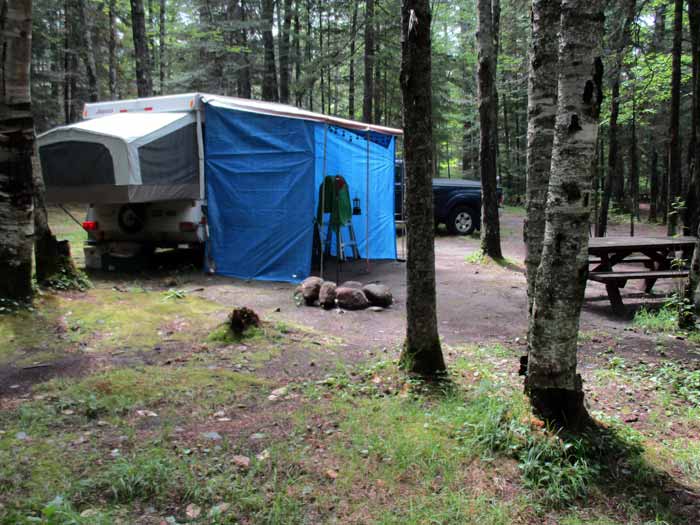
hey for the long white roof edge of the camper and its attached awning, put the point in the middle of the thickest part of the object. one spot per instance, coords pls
(191, 101)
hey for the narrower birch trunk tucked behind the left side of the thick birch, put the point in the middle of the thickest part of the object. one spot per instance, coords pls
(542, 110)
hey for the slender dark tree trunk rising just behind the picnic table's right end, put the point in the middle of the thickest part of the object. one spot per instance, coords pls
(674, 152)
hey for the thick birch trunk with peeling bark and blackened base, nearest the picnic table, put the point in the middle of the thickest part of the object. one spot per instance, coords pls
(552, 383)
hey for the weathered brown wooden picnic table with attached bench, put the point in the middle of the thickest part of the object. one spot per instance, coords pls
(655, 254)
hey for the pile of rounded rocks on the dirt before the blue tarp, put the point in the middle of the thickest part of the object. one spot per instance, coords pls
(350, 295)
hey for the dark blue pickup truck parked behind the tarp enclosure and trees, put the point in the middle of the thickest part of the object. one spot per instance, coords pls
(457, 202)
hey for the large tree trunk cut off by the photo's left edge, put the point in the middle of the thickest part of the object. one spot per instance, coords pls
(16, 150)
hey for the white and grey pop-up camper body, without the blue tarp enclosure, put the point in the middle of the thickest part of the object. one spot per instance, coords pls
(138, 165)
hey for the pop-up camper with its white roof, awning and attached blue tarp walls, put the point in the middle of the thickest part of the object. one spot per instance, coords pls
(243, 176)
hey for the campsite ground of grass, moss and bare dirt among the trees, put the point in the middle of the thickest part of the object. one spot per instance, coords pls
(128, 403)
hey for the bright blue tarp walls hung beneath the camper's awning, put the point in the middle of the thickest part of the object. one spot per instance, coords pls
(263, 176)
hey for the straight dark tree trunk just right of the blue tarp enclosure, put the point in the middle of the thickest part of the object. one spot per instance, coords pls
(422, 353)
